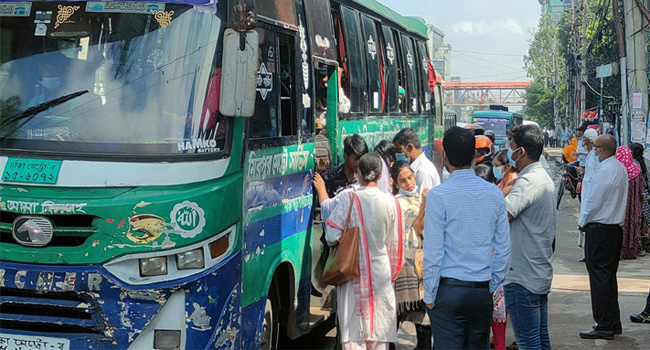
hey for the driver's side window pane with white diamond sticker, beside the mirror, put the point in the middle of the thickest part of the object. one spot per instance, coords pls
(264, 122)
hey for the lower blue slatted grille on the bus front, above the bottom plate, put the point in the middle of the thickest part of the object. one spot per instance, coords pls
(59, 312)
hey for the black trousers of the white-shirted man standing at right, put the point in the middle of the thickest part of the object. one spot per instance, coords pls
(602, 253)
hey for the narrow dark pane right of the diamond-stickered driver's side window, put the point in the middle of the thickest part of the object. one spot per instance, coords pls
(289, 123)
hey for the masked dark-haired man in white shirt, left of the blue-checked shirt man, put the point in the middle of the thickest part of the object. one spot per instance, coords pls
(408, 148)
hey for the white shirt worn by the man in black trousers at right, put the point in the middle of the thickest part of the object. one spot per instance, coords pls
(607, 195)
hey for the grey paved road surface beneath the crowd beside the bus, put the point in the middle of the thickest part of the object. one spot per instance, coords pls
(569, 301)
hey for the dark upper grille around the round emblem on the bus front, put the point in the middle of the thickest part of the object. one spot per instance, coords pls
(69, 230)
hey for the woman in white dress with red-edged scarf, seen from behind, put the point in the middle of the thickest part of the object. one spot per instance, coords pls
(366, 305)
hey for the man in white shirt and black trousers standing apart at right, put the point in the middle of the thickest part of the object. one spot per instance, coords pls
(602, 216)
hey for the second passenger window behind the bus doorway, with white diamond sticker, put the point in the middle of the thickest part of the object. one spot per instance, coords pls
(372, 62)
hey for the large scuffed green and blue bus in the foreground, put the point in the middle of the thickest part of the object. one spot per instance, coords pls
(157, 162)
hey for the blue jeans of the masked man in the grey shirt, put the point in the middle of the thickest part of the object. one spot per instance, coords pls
(529, 316)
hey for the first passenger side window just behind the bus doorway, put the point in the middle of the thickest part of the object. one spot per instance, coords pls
(356, 71)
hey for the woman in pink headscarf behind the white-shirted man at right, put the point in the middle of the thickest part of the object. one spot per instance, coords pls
(632, 225)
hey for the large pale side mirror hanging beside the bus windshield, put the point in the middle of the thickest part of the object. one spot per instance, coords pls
(239, 73)
